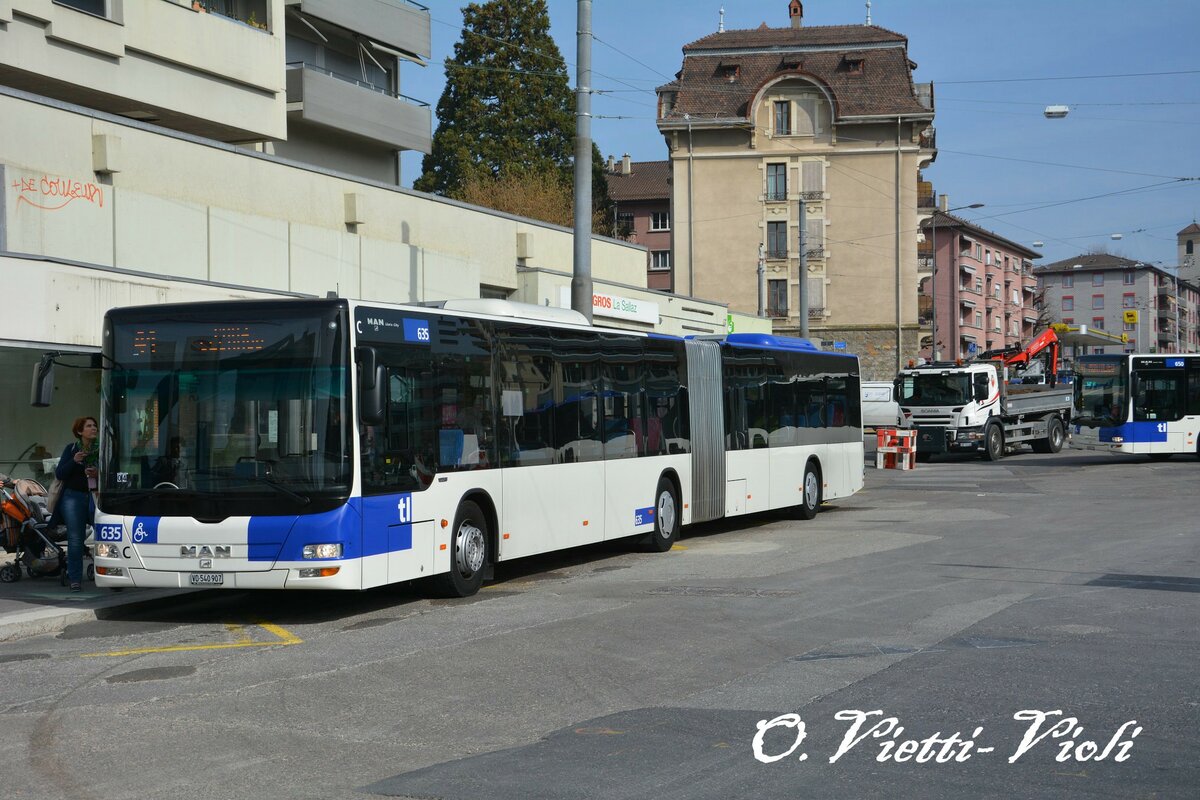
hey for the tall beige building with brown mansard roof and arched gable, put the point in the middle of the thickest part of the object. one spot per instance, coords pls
(765, 127)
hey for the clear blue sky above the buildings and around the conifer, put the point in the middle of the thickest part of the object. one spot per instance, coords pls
(995, 67)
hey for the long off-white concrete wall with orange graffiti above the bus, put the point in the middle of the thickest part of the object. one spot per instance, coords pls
(215, 213)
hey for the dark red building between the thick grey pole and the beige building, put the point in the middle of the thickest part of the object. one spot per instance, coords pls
(641, 197)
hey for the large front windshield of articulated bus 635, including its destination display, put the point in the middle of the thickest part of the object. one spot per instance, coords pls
(227, 417)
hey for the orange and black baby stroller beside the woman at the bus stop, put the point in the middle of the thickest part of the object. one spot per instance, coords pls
(27, 533)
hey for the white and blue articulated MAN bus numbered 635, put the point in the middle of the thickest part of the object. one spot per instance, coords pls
(333, 444)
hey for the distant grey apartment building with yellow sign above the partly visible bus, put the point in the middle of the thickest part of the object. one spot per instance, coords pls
(1099, 290)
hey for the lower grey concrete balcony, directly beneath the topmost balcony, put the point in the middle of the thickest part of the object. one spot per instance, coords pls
(350, 106)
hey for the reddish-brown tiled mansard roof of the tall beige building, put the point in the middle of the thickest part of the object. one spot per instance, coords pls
(883, 88)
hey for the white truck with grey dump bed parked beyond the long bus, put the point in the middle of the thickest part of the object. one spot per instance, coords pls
(974, 407)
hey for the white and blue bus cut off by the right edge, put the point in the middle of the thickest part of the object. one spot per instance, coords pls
(1132, 404)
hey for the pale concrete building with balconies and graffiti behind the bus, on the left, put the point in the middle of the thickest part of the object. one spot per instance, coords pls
(142, 161)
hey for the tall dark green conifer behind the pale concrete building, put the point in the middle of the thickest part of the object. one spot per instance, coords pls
(507, 105)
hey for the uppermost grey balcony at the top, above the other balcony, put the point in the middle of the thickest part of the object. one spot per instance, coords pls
(395, 25)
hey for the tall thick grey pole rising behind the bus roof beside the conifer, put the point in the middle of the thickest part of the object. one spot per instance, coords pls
(581, 280)
